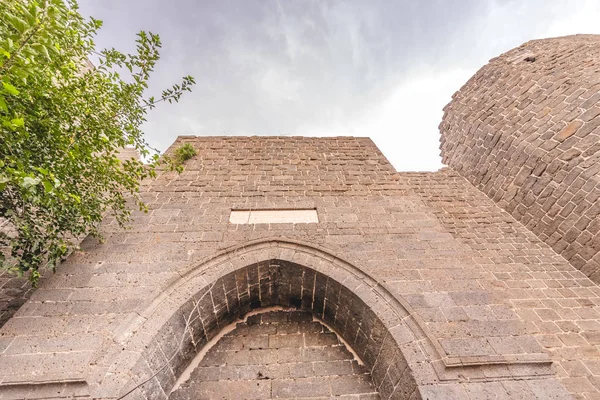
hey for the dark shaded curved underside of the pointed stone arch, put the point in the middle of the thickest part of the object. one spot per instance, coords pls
(278, 283)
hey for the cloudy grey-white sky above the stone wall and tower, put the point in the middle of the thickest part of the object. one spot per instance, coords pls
(382, 69)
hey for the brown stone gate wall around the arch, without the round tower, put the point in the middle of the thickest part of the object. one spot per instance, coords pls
(449, 313)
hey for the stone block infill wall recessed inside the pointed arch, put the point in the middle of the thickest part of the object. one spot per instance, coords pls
(230, 367)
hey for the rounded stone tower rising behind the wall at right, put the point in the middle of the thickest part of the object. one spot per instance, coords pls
(526, 131)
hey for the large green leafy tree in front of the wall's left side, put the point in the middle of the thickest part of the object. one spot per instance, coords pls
(62, 124)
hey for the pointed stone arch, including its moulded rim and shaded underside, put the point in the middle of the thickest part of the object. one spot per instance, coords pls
(262, 274)
